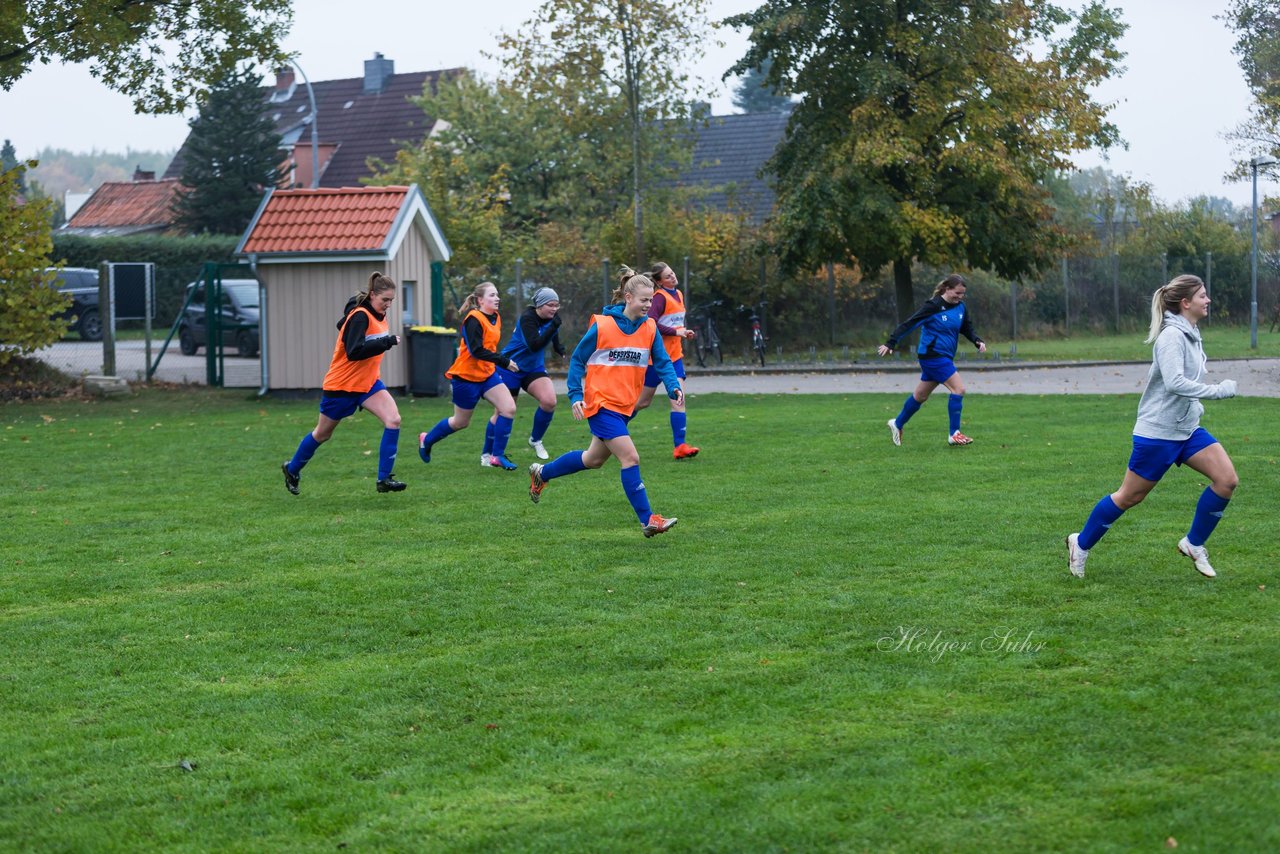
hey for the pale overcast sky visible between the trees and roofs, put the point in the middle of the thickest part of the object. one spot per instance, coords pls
(1183, 88)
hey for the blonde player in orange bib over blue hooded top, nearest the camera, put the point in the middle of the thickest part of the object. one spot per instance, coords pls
(606, 376)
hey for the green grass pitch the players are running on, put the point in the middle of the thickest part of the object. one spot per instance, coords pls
(843, 646)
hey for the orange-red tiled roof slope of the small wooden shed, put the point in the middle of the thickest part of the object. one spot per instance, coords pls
(350, 220)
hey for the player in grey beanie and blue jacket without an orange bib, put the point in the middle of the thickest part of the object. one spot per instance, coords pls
(538, 327)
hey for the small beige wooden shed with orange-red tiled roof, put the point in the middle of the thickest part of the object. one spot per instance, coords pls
(316, 249)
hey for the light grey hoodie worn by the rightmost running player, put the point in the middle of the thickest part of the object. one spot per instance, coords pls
(1171, 407)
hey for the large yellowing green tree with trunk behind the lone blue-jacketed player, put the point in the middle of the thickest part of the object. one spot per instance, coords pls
(925, 127)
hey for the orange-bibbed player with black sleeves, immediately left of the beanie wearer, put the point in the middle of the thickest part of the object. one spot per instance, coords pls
(473, 376)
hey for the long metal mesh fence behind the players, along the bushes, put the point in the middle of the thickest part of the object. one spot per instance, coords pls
(839, 312)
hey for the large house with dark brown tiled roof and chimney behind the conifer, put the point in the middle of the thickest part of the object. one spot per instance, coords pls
(358, 118)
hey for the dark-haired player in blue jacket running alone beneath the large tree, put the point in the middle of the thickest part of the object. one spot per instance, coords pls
(944, 319)
